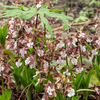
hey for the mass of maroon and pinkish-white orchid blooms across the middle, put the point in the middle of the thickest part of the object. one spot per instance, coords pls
(54, 60)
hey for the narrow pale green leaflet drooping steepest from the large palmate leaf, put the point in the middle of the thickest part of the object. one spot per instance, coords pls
(45, 21)
